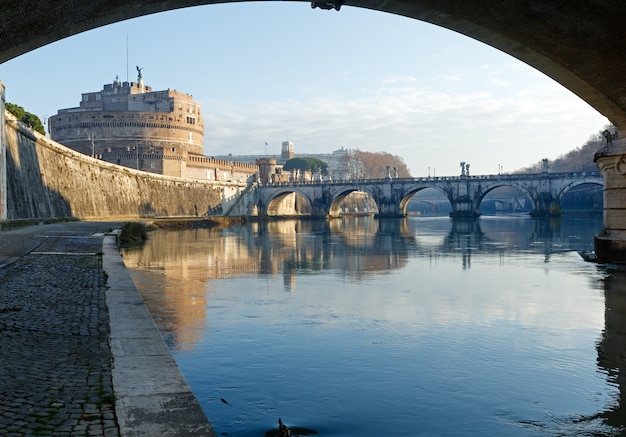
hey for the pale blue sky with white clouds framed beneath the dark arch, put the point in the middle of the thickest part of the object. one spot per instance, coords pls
(268, 72)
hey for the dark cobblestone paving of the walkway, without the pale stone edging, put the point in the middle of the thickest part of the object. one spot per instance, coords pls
(55, 361)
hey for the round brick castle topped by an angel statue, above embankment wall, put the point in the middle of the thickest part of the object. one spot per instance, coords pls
(156, 131)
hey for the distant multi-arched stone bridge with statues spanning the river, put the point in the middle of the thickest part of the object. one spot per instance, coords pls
(544, 190)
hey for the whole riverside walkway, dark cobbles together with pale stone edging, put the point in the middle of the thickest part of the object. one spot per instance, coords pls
(80, 354)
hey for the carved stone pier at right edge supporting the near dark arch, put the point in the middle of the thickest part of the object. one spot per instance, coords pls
(610, 243)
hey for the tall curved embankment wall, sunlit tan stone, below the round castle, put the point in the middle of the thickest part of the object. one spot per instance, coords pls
(48, 180)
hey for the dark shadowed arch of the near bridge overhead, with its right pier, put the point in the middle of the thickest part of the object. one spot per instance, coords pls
(579, 43)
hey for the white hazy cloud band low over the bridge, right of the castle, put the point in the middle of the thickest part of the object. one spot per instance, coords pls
(408, 121)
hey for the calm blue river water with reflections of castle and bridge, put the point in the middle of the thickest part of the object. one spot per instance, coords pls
(409, 327)
